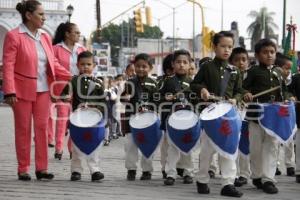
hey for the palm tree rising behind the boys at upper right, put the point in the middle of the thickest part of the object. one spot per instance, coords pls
(263, 25)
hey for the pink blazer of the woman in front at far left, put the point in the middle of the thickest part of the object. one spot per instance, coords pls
(20, 65)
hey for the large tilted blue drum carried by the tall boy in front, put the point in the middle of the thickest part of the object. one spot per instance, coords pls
(222, 124)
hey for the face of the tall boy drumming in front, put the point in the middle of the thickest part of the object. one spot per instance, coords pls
(224, 48)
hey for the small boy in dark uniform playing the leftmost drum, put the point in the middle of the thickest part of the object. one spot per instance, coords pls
(85, 90)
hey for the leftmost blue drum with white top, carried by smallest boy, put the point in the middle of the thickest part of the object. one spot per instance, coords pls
(87, 129)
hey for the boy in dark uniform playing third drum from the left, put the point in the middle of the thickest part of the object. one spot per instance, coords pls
(173, 85)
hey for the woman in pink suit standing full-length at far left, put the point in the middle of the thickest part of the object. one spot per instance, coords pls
(29, 67)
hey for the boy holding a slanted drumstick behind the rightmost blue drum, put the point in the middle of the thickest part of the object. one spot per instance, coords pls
(263, 147)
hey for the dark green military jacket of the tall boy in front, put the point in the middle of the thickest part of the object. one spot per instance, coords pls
(211, 75)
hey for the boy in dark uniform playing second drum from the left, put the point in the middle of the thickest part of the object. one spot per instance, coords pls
(139, 94)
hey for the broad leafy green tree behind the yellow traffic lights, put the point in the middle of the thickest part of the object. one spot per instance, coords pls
(123, 35)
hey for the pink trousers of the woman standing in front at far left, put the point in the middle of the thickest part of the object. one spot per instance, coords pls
(24, 112)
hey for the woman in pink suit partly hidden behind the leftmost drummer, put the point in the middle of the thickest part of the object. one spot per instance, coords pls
(66, 49)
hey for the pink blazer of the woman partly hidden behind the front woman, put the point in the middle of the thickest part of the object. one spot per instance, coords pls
(63, 57)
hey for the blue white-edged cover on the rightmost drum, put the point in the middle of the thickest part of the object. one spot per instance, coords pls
(279, 120)
